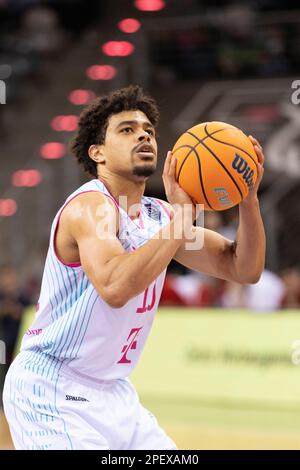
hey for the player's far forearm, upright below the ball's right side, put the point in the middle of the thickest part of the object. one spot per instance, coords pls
(249, 256)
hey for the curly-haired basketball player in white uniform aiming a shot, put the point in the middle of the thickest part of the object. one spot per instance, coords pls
(69, 388)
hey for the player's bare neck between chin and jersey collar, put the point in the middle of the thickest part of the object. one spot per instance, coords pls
(127, 193)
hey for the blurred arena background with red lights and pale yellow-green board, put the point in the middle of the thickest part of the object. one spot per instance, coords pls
(227, 377)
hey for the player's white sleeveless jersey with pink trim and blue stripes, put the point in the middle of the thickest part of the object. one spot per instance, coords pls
(74, 326)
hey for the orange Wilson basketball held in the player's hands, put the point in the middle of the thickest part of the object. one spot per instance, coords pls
(216, 164)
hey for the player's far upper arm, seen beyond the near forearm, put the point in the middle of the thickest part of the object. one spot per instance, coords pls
(215, 258)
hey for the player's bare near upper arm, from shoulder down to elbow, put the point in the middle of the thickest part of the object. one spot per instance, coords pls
(93, 223)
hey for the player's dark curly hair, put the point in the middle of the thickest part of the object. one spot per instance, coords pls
(94, 118)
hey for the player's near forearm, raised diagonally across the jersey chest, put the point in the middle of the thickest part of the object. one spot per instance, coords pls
(131, 273)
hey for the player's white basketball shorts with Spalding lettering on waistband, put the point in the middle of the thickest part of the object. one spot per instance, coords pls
(67, 413)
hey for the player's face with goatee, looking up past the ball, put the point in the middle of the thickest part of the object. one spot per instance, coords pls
(130, 147)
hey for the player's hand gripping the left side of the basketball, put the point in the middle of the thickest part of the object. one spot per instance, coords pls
(175, 194)
